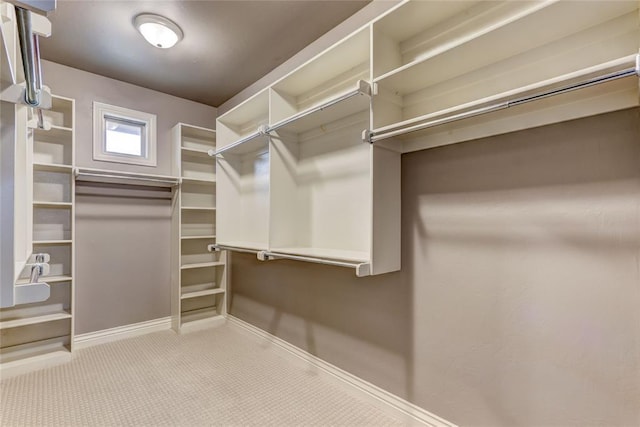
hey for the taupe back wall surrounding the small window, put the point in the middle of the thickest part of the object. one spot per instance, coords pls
(122, 240)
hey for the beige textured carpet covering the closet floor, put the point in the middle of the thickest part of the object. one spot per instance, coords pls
(211, 377)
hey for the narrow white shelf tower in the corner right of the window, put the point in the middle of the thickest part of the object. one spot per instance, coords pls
(199, 275)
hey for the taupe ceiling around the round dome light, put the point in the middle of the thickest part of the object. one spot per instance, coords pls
(227, 45)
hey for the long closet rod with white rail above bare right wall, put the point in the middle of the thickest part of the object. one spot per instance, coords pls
(392, 131)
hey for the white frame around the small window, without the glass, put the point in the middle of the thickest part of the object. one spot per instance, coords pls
(101, 112)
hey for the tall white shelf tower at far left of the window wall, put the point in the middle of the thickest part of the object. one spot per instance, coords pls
(43, 332)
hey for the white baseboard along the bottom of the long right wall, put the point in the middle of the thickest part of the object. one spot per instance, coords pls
(388, 402)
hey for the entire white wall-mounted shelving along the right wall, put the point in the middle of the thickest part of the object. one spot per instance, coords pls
(296, 180)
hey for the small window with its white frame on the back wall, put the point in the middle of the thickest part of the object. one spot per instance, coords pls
(122, 135)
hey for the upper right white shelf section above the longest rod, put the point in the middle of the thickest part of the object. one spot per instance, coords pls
(436, 59)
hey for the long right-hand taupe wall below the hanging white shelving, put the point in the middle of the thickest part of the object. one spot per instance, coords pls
(518, 299)
